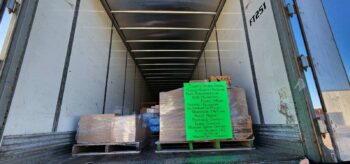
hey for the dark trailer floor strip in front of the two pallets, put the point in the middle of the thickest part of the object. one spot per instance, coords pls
(149, 157)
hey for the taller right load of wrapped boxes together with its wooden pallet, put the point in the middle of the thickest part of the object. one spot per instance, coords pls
(172, 122)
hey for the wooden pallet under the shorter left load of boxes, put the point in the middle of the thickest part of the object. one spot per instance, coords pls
(107, 149)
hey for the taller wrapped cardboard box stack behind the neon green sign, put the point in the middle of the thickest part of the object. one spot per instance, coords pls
(172, 116)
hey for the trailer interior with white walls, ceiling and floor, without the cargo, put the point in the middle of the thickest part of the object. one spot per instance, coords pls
(122, 53)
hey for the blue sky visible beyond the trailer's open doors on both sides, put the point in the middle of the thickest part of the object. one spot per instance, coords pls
(339, 19)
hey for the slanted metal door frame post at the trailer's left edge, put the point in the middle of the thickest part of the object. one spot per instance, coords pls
(14, 56)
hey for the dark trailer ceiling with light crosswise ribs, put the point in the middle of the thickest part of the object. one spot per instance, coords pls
(165, 37)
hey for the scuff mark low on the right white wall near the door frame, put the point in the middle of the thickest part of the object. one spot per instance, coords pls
(284, 108)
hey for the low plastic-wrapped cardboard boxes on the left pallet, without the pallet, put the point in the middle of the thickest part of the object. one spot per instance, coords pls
(109, 128)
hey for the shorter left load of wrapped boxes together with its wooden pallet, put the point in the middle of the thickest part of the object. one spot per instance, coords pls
(108, 134)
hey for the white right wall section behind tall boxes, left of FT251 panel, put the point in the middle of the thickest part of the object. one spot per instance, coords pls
(233, 53)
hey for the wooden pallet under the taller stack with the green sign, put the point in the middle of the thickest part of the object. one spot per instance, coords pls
(204, 146)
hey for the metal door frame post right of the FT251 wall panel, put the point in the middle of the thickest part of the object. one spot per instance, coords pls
(309, 132)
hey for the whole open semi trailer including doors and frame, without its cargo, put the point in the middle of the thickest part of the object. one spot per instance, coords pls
(69, 58)
